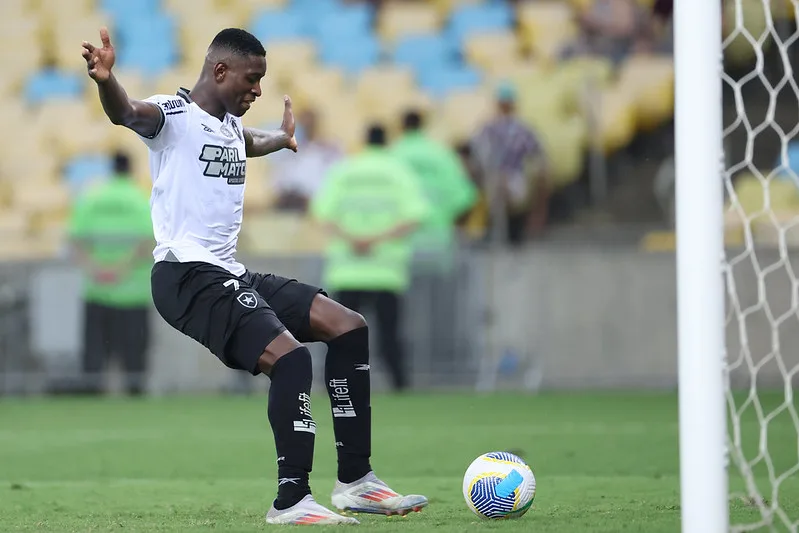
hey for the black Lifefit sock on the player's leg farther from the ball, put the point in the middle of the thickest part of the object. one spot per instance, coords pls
(294, 429)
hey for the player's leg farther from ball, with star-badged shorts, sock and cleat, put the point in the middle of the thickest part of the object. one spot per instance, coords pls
(228, 317)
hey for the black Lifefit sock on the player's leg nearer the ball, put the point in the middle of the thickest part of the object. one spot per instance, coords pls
(348, 385)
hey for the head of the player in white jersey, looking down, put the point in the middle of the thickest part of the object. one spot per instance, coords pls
(236, 61)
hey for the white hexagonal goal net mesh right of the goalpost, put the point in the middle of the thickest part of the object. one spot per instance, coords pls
(761, 263)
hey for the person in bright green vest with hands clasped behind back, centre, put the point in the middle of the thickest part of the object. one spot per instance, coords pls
(371, 204)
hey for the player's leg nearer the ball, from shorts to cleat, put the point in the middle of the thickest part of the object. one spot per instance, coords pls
(312, 316)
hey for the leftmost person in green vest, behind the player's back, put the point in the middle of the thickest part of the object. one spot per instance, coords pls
(112, 239)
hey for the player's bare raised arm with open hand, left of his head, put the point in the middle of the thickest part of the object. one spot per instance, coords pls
(142, 117)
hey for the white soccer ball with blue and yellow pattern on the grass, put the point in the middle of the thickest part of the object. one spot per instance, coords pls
(499, 485)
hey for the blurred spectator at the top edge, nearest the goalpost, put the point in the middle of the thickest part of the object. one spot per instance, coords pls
(613, 29)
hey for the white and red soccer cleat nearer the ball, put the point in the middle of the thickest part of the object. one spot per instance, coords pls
(370, 495)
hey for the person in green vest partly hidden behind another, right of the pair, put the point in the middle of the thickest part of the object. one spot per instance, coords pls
(452, 194)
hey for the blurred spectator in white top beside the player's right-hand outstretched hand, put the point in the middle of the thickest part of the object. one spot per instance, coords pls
(298, 176)
